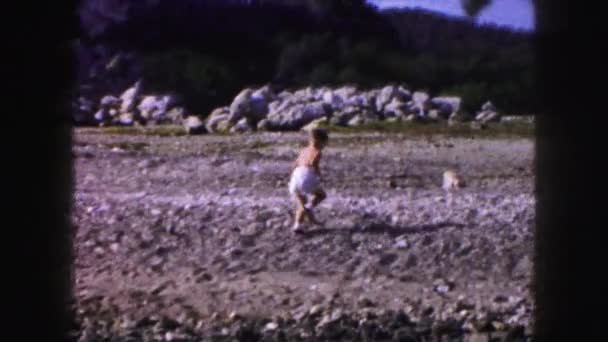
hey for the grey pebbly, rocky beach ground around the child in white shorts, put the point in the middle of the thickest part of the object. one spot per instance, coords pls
(188, 239)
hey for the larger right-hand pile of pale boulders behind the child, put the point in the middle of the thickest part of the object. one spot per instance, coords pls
(262, 109)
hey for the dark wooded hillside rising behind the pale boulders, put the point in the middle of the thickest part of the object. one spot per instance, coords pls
(208, 52)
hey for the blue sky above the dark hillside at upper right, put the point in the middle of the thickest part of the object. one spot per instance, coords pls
(518, 14)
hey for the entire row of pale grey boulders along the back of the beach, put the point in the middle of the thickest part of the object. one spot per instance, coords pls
(263, 109)
